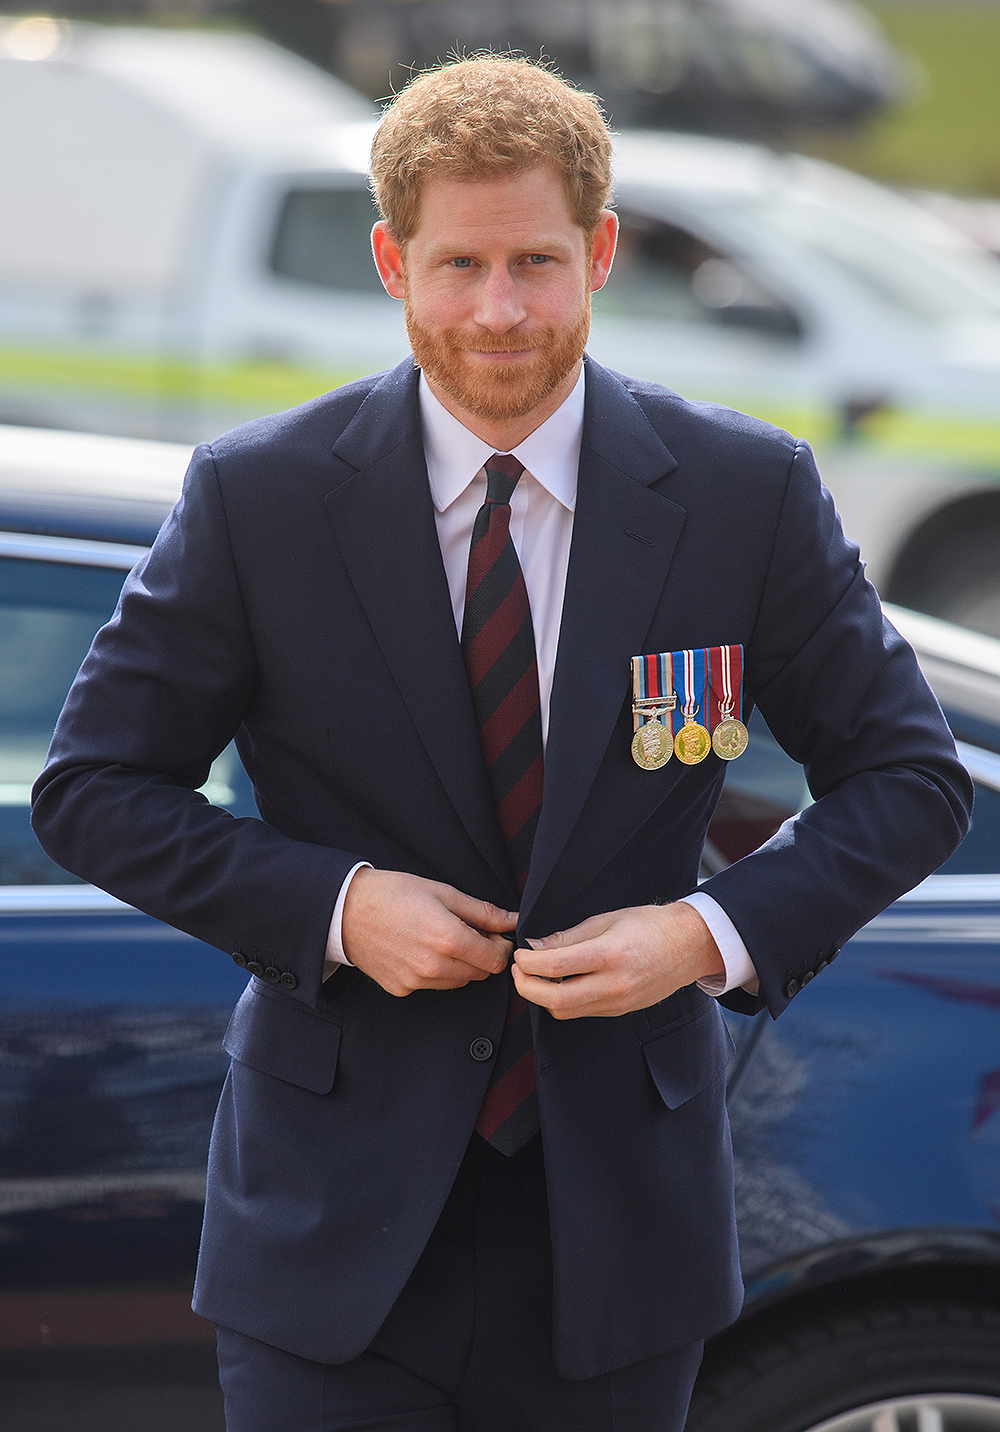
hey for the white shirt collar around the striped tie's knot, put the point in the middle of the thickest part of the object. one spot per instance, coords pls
(455, 456)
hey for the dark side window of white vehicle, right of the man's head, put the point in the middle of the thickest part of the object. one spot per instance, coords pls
(665, 273)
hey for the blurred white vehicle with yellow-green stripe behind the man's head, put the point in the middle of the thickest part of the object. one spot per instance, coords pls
(193, 250)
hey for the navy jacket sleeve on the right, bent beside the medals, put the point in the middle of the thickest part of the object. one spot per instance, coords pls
(845, 697)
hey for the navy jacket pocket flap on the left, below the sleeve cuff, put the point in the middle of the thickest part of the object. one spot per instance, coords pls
(284, 1039)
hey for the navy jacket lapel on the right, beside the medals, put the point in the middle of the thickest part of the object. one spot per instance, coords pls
(624, 539)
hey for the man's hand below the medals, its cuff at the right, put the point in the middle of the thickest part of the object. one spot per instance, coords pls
(614, 964)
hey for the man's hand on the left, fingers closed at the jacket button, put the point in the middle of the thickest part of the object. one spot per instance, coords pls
(409, 934)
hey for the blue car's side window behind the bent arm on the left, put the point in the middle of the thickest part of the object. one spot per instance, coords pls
(49, 615)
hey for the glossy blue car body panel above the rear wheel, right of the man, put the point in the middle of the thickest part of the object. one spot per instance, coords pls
(870, 1109)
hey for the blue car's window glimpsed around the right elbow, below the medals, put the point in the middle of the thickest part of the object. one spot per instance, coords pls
(766, 787)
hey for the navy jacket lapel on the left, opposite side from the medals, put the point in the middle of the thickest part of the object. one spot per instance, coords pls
(385, 525)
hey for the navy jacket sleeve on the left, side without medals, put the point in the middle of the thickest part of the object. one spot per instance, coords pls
(164, 690)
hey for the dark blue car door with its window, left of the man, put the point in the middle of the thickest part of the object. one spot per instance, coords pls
(111, 1066)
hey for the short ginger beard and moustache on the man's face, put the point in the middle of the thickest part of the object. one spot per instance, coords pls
(449, 360)
